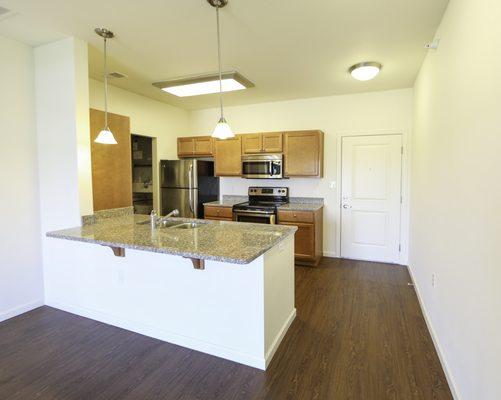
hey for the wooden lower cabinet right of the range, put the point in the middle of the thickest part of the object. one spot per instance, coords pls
(308, 241)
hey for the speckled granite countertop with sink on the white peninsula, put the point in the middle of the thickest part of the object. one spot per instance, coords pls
(232, 242)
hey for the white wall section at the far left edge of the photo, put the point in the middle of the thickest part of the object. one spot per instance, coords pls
(21, 283)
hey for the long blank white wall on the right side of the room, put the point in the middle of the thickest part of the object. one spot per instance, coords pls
(456, 195)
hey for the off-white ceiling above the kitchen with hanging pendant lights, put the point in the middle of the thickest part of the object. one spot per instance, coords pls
(288, 48)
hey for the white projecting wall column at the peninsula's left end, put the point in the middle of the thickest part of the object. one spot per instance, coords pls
(60, 93)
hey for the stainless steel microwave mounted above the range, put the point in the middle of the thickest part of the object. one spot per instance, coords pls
(262, 166)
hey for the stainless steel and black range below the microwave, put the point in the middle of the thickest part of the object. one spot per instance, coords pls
(262, 205)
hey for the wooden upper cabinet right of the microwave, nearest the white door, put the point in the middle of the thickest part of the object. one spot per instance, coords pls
(304, 153)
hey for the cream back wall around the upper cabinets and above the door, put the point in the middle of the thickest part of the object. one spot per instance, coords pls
(368, 113)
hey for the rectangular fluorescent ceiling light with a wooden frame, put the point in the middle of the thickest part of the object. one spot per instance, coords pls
(204, 84)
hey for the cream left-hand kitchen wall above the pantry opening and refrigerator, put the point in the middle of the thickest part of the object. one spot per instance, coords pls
(147, 117)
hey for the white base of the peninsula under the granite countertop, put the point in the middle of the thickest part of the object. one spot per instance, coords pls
(237, 312)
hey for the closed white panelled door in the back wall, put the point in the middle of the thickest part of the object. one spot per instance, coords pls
(371, 197)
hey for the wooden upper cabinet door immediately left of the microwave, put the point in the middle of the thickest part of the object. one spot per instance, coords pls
(228, 156)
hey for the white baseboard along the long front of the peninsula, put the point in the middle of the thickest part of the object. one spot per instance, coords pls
(166, 336)
